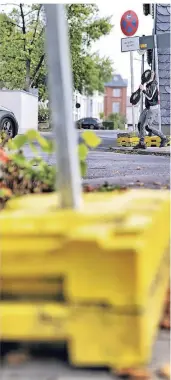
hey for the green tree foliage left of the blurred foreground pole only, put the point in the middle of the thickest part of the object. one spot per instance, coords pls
(19, 51)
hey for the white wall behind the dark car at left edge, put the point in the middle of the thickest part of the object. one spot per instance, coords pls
(24, 106)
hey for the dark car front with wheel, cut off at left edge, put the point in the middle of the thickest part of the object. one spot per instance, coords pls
(8, 122)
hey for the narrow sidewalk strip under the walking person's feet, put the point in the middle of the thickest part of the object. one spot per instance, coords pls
(149, 151)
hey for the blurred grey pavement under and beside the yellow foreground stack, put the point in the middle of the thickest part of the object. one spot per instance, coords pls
(58, 368)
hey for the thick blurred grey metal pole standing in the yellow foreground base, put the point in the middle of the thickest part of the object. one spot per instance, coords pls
(60, 91)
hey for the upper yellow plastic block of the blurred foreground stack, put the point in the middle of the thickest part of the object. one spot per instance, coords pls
(98, 256)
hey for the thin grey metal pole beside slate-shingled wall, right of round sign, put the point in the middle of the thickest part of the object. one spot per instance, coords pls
(156, 66)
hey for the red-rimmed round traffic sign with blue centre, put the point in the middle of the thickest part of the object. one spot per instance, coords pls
(129, 23)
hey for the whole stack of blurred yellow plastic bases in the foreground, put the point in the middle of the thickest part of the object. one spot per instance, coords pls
(96, 278)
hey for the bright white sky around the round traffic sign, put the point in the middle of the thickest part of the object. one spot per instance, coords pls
(110, 45)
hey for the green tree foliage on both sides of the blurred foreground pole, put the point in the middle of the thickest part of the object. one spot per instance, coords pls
(22, 35)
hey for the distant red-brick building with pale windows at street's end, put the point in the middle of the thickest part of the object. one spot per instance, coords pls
(115, 98)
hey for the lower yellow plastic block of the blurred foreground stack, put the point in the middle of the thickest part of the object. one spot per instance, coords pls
(111, 336)
